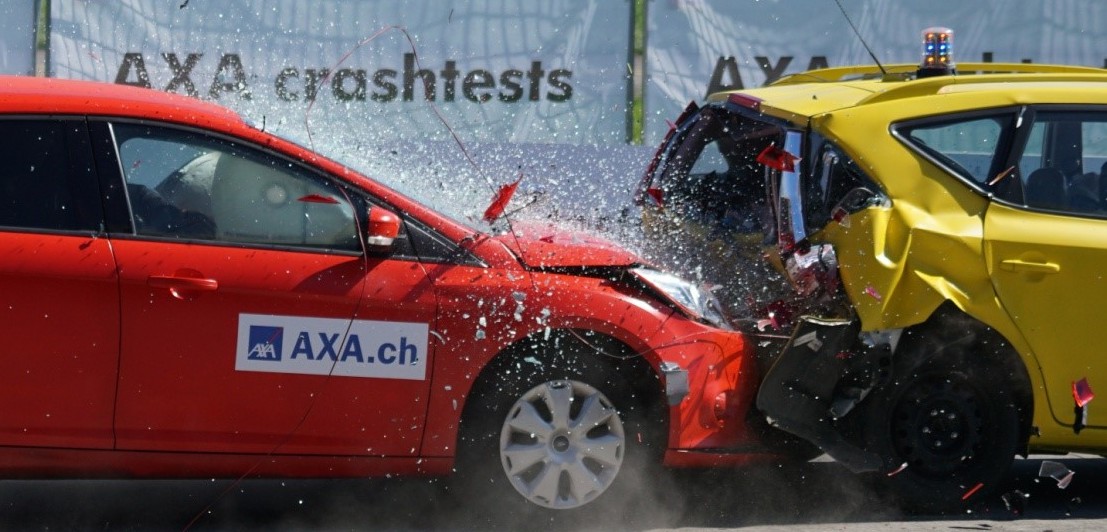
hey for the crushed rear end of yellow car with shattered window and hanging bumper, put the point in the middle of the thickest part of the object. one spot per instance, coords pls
(723, 203)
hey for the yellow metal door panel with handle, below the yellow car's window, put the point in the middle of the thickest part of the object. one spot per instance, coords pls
(1049, 274)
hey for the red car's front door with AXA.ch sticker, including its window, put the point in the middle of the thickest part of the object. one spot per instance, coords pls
(253, 321)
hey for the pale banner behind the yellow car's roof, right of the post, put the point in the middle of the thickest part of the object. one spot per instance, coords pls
(698, 45)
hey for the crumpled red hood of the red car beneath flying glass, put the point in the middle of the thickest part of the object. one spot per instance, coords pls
(549, 247)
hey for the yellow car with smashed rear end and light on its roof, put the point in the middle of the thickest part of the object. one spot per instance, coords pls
(919, 248)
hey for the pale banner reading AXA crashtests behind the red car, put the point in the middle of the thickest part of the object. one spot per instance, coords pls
(499, 71)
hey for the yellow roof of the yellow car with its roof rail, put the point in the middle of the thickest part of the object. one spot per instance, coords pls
(800, 97)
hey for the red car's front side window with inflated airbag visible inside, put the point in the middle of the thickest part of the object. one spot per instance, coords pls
(184, 185)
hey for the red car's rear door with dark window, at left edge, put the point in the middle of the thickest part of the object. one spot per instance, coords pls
(59, 293)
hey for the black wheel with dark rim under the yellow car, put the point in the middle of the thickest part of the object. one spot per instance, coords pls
(951, 419)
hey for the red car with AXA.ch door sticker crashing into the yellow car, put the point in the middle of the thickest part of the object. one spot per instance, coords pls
(185, 296)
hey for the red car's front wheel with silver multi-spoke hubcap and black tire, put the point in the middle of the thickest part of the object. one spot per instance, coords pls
(513, 406)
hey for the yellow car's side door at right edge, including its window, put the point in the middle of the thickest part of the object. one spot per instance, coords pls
(1047, 257)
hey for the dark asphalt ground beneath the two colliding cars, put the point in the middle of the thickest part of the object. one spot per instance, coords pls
(809, 497)
